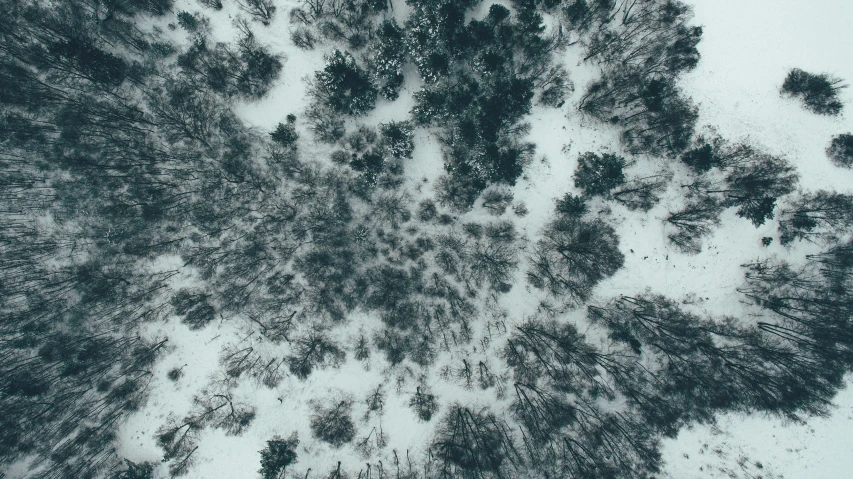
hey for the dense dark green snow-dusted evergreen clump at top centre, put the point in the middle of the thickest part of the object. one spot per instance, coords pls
(481, 80)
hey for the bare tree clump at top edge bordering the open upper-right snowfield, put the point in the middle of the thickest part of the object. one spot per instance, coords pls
(642, 47)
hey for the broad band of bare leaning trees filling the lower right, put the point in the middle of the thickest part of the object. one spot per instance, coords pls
(672, 367)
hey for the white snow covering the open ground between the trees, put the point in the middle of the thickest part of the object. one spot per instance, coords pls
(747, 48)
